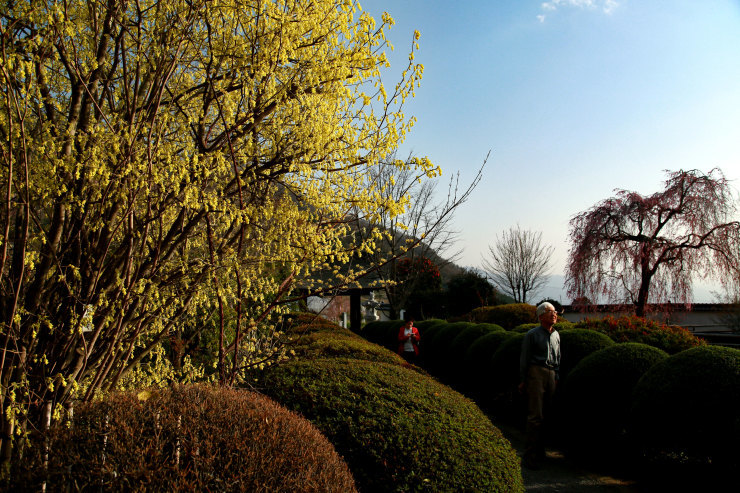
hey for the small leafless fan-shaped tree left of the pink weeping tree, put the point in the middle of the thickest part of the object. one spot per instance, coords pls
(519, 263)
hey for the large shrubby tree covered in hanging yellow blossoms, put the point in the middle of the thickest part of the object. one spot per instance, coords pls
(164, 160)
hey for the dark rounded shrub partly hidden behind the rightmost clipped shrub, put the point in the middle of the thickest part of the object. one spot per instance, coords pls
(597, 399)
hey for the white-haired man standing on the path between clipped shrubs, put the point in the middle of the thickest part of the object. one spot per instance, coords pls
(538, 367)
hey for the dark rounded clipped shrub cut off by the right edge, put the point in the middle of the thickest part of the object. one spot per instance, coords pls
(685, 410)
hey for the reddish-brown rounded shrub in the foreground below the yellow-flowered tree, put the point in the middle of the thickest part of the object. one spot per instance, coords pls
(195, 438)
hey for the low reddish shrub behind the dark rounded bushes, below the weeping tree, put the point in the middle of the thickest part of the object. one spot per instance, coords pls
(670, 338)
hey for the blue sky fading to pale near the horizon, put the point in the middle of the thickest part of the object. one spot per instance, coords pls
(574, 98)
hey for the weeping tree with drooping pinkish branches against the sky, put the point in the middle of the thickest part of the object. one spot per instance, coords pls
(638, 249)
